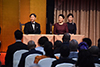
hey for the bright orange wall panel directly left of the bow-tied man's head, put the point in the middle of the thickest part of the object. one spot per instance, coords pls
(24, 11)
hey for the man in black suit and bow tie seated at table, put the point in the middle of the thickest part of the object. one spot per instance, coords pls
(32, 27)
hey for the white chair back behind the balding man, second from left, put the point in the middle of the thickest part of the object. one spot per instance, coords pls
(29, 60)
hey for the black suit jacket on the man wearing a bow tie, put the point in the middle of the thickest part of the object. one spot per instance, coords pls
(28, 29)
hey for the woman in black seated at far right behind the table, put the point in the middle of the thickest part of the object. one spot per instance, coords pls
(71, 24)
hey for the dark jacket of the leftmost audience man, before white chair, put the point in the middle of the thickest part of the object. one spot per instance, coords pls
(11, 49)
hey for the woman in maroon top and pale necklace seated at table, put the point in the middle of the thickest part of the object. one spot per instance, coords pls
(60, 27)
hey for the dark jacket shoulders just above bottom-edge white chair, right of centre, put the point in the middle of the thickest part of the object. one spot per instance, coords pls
(62, 60)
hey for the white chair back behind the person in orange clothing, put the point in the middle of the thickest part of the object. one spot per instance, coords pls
(46, 62)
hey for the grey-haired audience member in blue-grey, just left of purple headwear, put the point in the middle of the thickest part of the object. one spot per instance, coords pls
(73, 45)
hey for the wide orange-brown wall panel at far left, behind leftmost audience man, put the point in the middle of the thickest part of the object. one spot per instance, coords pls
(10, 22)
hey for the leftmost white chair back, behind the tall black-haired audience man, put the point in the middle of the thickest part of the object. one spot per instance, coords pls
(17, 56)
